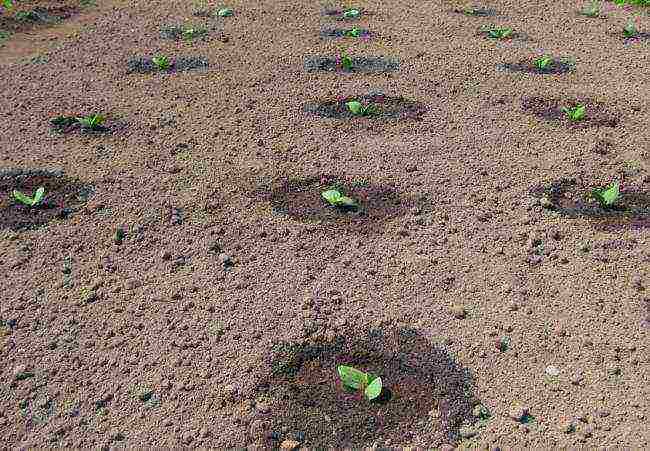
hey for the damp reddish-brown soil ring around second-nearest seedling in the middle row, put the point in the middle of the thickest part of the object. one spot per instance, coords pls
(301, 199)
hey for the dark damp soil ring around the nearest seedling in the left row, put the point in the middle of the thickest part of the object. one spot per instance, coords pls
(63, 196)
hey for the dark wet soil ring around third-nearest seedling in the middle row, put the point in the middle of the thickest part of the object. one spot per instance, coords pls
(384, 107)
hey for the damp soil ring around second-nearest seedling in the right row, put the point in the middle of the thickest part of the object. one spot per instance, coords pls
(551, 109)
